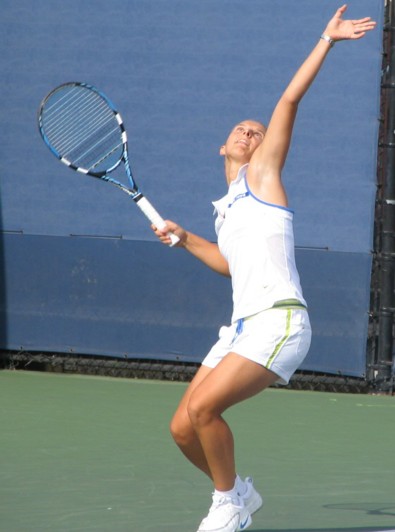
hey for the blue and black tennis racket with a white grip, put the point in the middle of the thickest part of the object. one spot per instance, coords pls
(83, 129)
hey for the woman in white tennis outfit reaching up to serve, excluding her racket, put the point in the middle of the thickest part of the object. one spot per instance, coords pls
(270, 333)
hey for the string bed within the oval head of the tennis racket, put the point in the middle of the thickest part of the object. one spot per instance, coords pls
(83, 129)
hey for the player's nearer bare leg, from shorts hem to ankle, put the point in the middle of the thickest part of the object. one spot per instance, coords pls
(232, 381)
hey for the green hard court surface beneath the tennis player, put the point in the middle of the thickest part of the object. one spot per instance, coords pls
(83, 453)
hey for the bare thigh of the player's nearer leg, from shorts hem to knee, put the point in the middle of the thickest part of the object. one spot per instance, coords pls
(233, 380)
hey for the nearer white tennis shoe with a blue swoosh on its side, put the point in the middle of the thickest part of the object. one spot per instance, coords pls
(226, 516)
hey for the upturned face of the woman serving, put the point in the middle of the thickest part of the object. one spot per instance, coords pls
(243, 140)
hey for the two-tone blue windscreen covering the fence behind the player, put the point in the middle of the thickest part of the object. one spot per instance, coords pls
(81, 269)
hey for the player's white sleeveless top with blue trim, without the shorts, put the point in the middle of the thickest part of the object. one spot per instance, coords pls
(257, 240)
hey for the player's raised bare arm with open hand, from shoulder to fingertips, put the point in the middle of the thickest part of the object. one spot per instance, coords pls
(264, 173)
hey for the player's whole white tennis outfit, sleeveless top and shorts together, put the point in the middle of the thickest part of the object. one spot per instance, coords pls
(256, 238)
